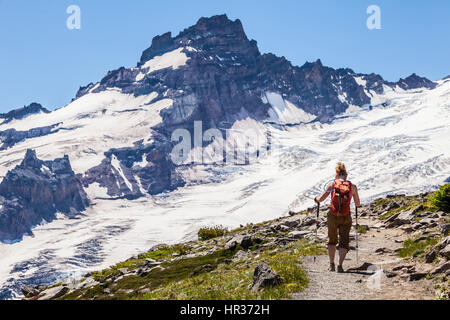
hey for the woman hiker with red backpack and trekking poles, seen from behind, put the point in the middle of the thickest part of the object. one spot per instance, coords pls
(339, 218)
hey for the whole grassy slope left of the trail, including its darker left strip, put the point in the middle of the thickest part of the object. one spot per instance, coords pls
(209, 276)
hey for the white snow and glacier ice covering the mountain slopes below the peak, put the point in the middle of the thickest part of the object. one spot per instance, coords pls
(399, 146)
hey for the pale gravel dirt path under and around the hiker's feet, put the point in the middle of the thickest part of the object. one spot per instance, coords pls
(376, 247)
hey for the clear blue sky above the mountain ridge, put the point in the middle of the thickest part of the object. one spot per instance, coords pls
(43, 61)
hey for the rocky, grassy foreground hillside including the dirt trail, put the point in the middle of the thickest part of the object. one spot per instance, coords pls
(404, 253)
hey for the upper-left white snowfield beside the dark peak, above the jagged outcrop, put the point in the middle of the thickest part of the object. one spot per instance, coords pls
(86, 128)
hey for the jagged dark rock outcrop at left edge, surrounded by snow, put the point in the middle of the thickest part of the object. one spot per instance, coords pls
(34, 192)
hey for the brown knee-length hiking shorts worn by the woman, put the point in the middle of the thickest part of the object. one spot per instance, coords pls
(339, 230)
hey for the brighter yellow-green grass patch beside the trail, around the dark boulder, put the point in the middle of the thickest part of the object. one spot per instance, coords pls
(232, 281)
